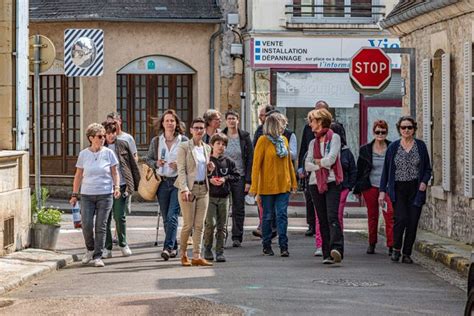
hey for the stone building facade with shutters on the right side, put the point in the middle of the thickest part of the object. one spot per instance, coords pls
(442, 34)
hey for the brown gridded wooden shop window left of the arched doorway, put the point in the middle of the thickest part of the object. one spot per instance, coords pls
(59, 124)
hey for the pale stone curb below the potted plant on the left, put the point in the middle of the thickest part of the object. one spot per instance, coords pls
(41, 269)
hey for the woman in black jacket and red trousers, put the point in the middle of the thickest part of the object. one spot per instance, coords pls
(369, 171)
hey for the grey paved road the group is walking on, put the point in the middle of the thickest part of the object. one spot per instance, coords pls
(247, 284)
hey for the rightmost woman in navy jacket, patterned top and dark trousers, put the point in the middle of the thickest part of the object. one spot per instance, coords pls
(405, 175)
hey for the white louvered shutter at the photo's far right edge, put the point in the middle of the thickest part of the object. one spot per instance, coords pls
(468, 161)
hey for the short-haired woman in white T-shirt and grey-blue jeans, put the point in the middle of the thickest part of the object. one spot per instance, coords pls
(97, 176)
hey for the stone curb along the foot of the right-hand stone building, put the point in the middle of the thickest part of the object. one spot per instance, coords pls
(440, 254)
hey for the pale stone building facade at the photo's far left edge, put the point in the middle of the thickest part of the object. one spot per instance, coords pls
(15, 215)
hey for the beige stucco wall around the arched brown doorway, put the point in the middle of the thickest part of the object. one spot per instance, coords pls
(125, 42)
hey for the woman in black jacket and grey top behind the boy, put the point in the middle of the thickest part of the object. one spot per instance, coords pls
(240, 150)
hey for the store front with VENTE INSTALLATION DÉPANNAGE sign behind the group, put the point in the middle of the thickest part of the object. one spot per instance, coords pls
(294, 73)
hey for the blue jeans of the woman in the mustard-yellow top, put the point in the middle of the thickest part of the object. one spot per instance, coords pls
(275, 204)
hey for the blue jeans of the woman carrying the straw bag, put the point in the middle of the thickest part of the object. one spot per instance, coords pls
(167, 195)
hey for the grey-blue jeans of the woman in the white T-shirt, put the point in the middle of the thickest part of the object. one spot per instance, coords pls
(100, 207)
